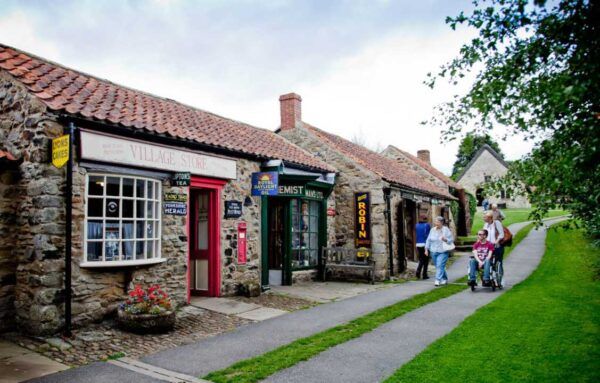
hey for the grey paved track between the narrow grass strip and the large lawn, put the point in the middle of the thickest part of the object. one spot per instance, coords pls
(377, 354)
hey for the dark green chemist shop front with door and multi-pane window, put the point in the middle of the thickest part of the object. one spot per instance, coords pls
(294, 222)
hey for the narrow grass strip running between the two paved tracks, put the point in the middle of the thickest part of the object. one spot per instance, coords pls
(262, 366)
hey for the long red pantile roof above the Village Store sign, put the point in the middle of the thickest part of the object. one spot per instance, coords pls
(69, 91)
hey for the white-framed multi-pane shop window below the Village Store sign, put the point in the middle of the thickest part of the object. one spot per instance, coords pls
(122, 220)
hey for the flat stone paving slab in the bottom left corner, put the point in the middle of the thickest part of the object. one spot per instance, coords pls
(18, 364)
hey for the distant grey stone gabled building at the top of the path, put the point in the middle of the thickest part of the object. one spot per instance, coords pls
(486, 166)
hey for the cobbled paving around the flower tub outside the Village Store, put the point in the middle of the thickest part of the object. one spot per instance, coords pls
(105, 341)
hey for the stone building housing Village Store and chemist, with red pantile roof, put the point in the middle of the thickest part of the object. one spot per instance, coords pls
(161, 194)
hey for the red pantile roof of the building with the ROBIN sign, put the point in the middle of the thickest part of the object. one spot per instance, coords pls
(388, 169)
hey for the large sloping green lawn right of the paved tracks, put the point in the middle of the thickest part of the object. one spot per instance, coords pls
(545, 329)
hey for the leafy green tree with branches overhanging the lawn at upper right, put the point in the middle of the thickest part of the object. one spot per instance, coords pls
(535, 68)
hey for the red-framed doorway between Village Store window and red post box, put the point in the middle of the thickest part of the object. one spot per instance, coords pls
(204, 237)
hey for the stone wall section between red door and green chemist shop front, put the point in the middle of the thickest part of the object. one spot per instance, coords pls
(233, 273)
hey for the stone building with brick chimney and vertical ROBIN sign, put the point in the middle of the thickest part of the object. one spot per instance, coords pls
(392, 192)
